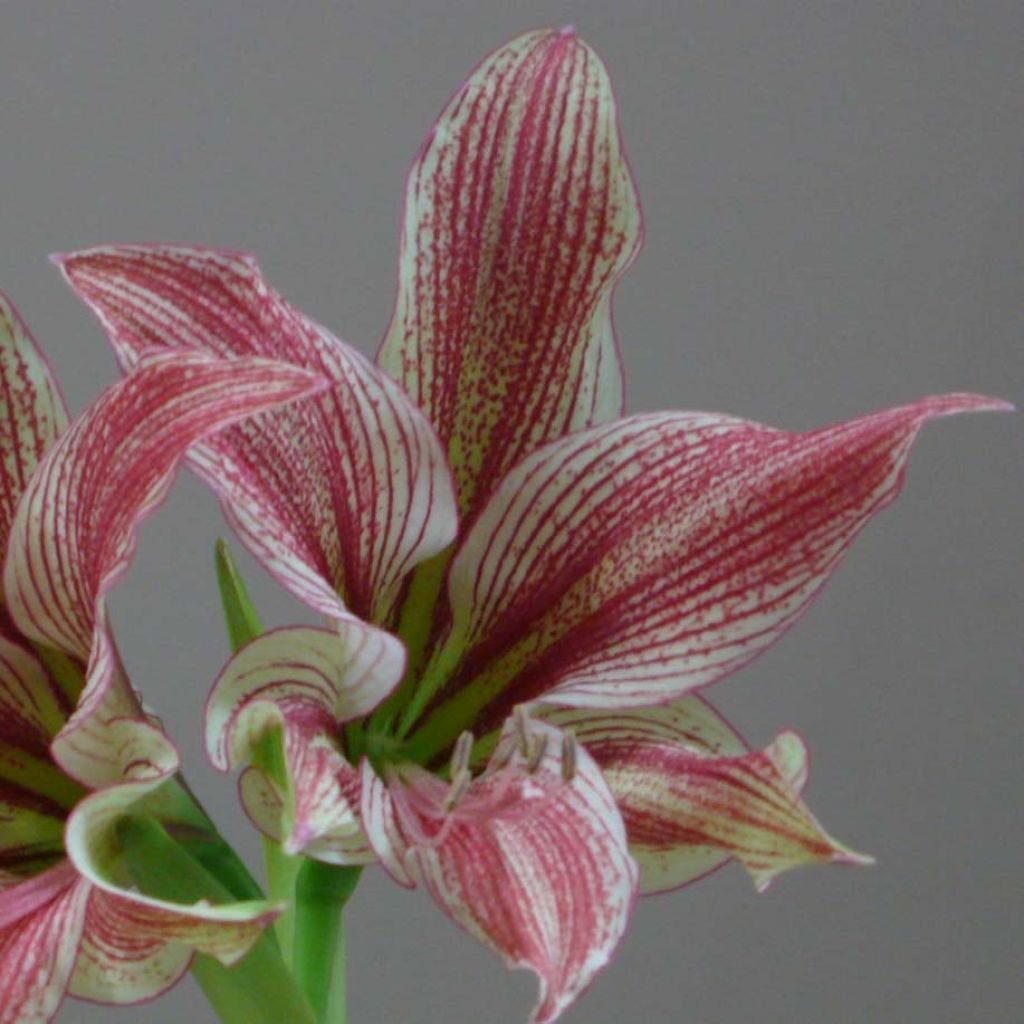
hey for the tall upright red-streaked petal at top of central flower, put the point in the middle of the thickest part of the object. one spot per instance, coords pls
(521, 218)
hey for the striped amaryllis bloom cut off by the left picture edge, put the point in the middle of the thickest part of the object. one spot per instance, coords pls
(71, 500)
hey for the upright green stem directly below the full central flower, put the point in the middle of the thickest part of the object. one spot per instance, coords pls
(319, 957)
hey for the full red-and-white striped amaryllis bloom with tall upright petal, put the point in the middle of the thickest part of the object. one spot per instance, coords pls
(524, 588)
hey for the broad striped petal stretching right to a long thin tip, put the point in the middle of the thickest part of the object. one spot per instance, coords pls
(629, 565)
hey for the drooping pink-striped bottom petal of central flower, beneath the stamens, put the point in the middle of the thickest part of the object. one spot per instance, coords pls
(530, 859)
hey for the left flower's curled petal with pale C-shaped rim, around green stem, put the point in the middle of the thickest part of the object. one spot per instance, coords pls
(227, 932)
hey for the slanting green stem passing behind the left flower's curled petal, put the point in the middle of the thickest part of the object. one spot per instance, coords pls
(257, 991)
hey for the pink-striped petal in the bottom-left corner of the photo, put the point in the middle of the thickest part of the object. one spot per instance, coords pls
(38, 946)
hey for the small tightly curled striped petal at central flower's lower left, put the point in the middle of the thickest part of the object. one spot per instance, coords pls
(307, 684)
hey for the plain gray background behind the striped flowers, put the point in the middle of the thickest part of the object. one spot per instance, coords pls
(834, 211)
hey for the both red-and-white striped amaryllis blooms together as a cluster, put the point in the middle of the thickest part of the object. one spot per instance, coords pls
(523, 588)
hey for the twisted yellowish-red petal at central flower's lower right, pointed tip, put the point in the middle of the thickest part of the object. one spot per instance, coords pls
(693, 796)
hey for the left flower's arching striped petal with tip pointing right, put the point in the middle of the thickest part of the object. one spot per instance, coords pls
(75, 530)
